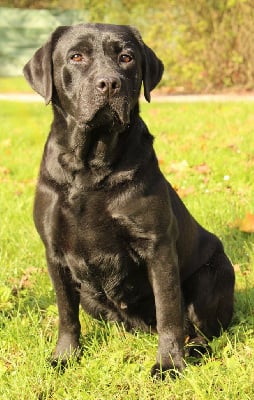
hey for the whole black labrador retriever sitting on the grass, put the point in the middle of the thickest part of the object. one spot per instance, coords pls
(118, 238)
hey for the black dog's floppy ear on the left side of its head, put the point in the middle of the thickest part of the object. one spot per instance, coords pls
(38, 71)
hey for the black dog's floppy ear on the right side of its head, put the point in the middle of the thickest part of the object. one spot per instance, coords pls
(152, 71)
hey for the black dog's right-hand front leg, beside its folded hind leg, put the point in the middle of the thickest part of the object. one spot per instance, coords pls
(164, 277)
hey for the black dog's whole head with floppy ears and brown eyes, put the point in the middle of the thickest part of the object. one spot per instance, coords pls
(94, 71)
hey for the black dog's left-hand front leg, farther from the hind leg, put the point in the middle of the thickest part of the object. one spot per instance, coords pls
(68, 298)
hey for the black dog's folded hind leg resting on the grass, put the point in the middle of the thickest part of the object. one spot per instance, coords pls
(209, 296)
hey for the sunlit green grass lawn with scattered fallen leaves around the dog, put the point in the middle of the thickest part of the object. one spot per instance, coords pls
(206, 151)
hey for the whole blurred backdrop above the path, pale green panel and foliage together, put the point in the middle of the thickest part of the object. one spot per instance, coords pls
(205, 45)
